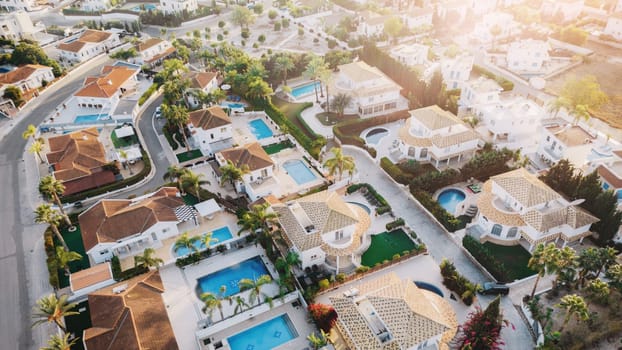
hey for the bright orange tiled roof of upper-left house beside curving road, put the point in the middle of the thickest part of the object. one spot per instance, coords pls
(108, 83)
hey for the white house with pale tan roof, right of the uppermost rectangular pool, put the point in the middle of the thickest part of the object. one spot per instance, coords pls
(372, 91)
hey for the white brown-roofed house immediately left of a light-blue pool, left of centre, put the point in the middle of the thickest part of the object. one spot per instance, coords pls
(259, 180)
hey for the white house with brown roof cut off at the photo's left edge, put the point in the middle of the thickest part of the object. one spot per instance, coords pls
(27, 78)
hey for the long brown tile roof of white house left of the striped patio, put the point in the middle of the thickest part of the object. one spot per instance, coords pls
(110, 220)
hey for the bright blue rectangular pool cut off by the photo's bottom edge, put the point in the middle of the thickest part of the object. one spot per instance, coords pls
(266, 335)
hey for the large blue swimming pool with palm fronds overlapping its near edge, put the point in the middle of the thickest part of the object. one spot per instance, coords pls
(231, 276)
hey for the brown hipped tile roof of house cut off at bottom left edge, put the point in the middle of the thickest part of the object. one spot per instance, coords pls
(130, 315)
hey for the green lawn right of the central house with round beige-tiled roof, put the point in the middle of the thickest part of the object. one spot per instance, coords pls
(385, 245)
